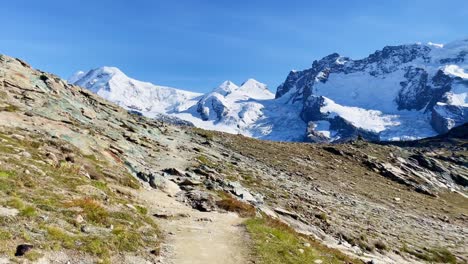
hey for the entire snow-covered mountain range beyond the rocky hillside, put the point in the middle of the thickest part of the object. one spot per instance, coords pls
(397, 93)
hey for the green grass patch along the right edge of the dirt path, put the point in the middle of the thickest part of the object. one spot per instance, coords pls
(277, 243)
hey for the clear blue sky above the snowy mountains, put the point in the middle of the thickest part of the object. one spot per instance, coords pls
(195, 45)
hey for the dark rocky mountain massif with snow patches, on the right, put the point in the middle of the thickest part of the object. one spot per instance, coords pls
(384, 95)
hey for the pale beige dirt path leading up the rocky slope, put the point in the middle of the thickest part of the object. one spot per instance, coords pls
(197, 237)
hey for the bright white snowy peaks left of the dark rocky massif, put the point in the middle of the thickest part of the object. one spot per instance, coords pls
(228, 107)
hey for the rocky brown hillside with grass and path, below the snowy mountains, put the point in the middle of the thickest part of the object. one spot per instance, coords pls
(84, 180)
